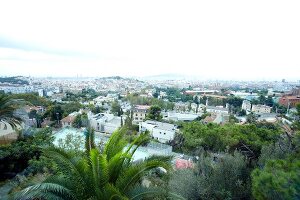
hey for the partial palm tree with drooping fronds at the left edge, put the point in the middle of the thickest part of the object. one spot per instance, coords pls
(7, 108)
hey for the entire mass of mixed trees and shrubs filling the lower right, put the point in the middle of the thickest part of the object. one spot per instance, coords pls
(238, 162)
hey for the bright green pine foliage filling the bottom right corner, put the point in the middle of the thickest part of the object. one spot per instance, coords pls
(278, 175)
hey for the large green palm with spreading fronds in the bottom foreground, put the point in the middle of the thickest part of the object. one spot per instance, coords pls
(110, 174)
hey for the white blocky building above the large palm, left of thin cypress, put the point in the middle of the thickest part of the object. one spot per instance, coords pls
(104, 122)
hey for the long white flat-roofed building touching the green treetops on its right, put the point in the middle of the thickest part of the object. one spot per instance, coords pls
(163, 132)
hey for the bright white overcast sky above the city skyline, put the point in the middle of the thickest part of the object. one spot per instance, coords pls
(228, 40)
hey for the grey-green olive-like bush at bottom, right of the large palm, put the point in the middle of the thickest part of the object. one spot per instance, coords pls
(216, 176)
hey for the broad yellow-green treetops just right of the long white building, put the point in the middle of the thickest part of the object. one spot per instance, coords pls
(230, 136)
